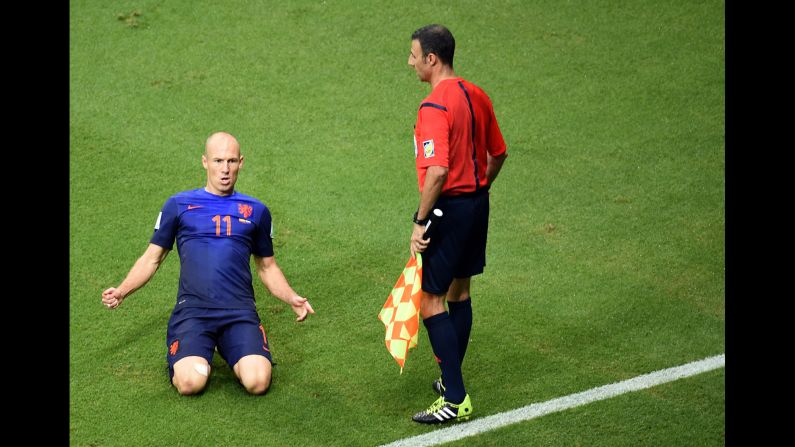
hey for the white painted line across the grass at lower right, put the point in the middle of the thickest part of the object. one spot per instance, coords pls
(466, 429)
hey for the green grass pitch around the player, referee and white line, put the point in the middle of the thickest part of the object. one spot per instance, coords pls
(606, 244)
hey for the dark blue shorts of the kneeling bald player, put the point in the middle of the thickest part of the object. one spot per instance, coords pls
(197, 331)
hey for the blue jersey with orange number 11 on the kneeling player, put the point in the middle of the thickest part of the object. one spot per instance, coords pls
(216, 236)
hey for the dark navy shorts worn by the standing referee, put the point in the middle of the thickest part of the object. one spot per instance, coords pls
(458, 245)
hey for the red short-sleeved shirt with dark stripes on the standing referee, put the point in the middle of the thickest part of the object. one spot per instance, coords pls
(443, 136)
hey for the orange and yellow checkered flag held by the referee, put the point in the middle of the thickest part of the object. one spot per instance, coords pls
(401, 312)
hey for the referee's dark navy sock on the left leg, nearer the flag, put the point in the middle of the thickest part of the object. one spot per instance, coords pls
(445, 346)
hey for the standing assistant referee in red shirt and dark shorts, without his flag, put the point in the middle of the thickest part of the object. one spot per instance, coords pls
(459, 151)
